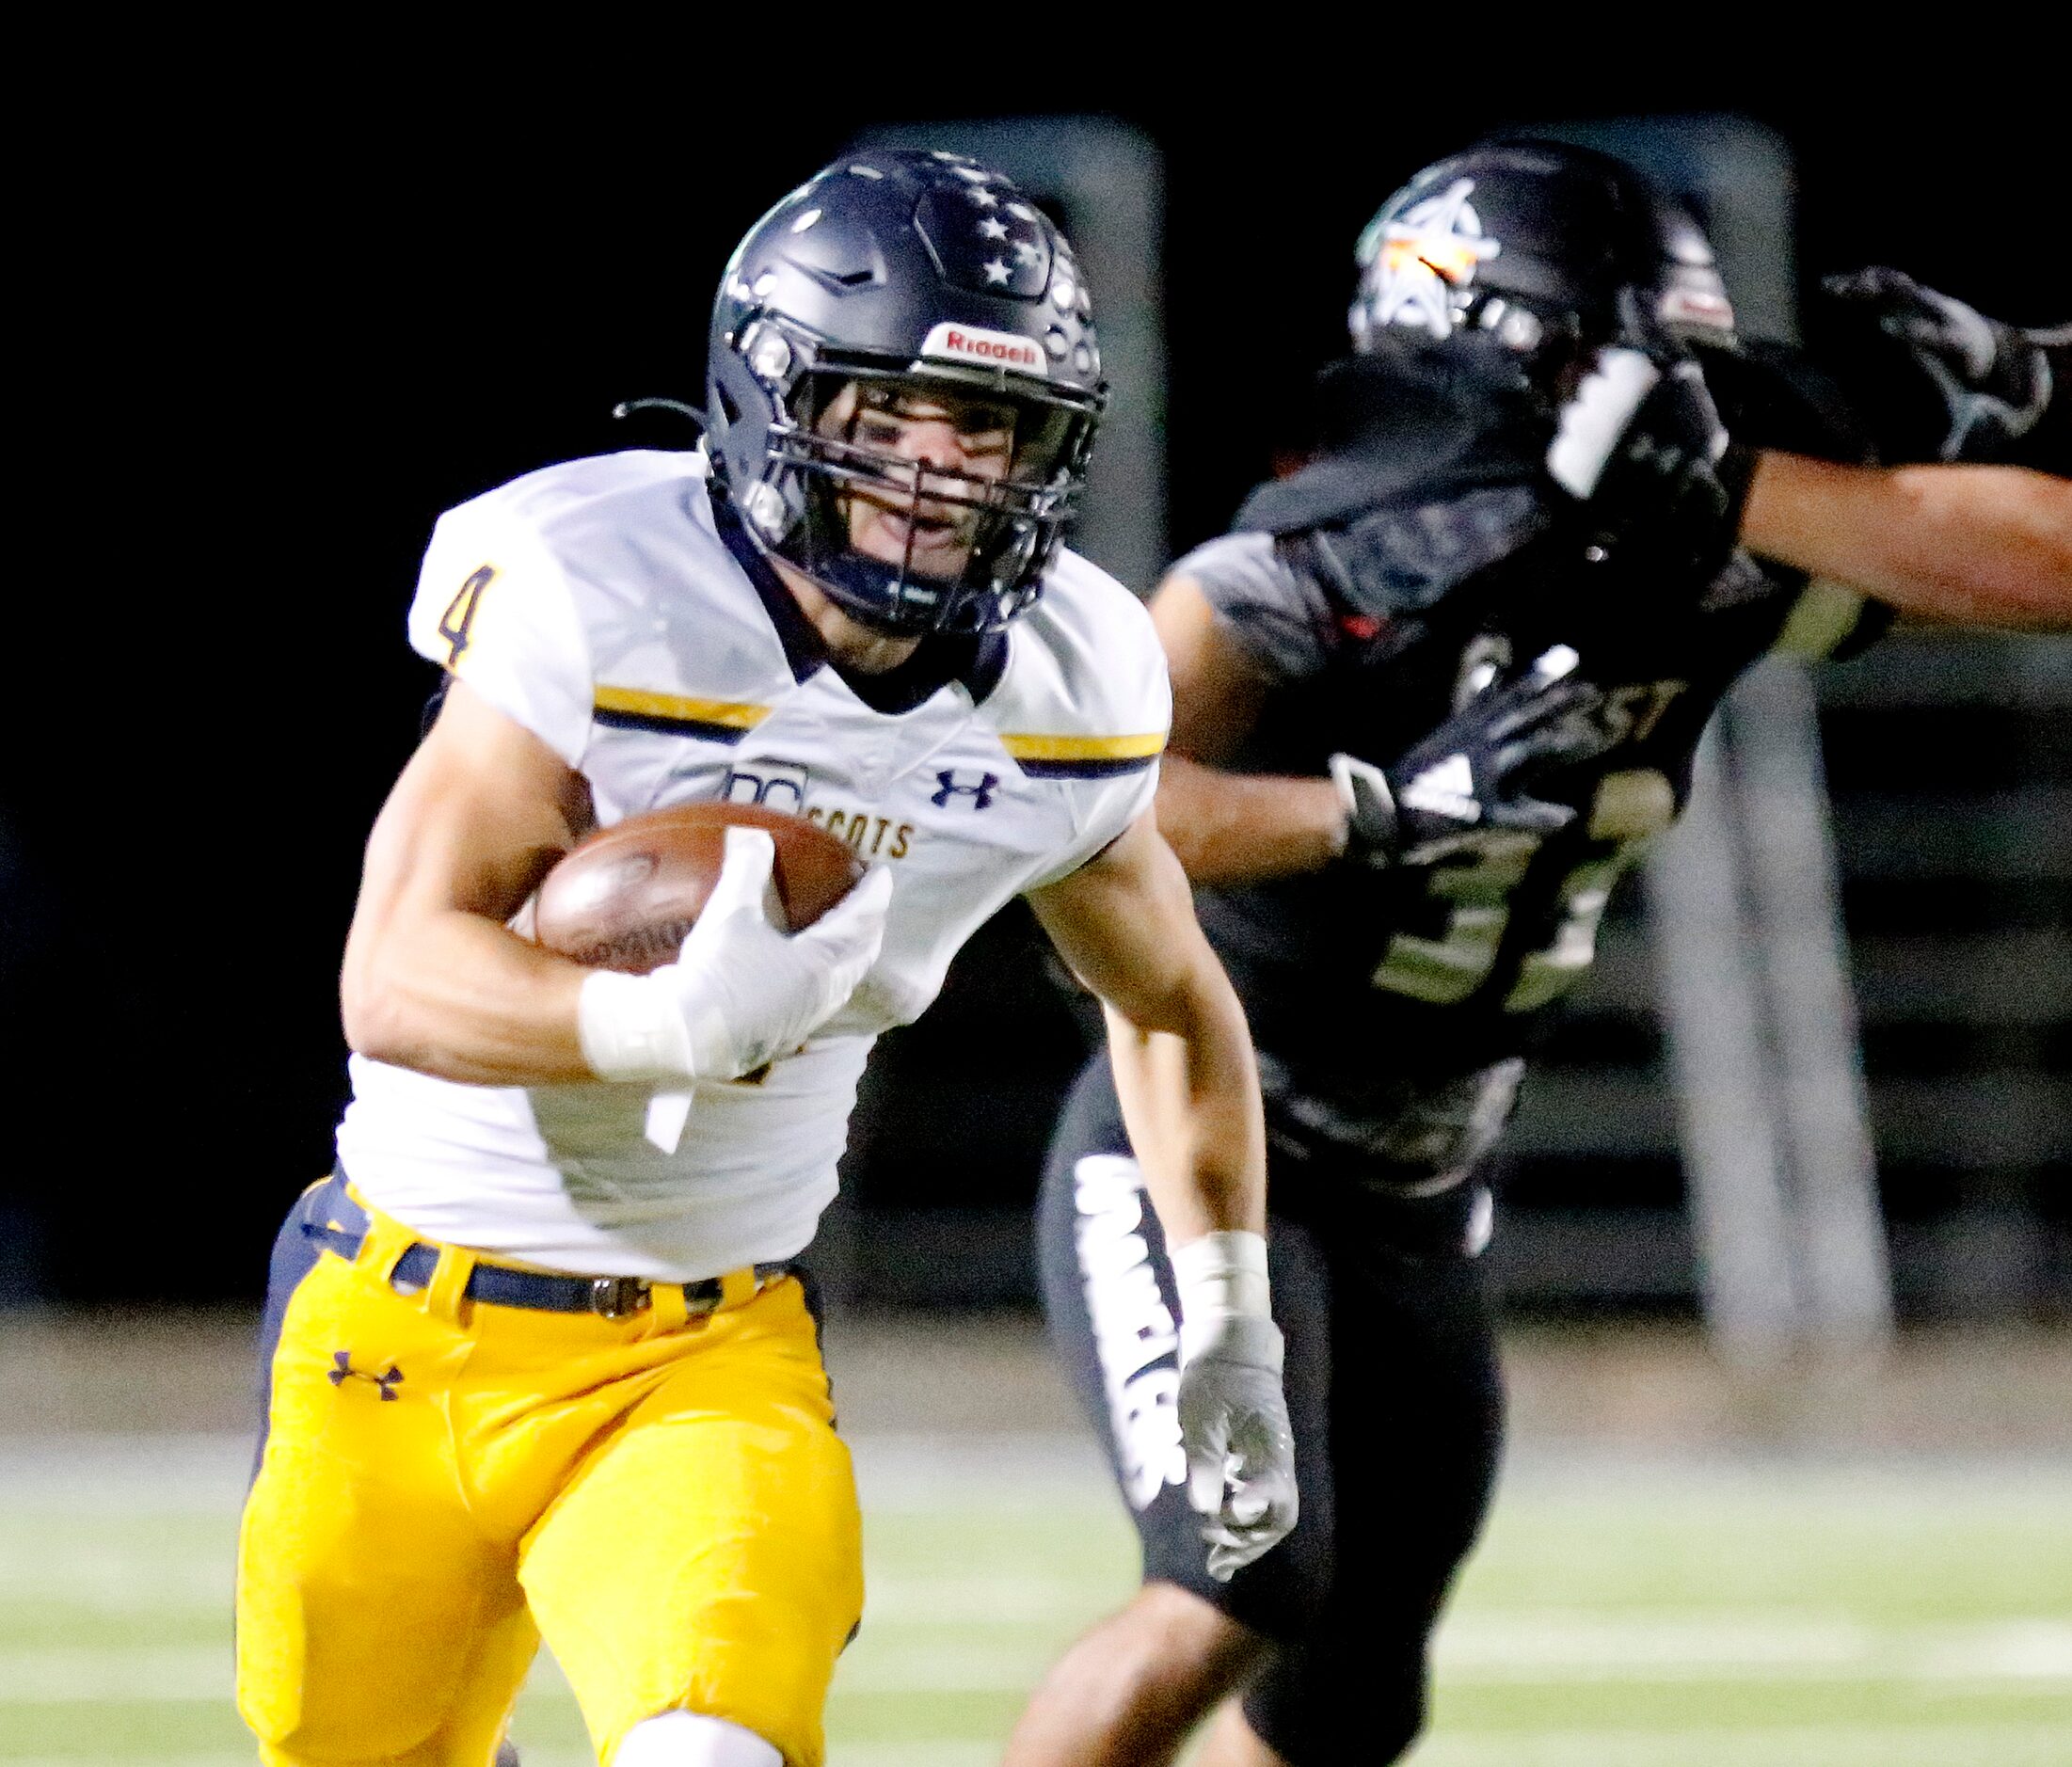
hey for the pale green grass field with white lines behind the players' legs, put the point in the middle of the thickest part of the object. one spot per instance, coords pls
(1621, 1613)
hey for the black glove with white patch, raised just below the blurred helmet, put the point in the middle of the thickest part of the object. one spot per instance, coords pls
(1642, 451)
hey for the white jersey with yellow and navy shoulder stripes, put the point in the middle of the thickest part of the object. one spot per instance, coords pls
(612, 610)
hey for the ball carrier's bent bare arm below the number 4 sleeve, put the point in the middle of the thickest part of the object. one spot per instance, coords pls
(434, 979)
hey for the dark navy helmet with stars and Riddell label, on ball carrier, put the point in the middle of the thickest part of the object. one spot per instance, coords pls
(904, 277)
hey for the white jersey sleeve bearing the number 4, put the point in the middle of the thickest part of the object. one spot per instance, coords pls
(494, 610)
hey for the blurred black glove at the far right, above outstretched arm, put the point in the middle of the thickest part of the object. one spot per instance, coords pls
(1936, 378)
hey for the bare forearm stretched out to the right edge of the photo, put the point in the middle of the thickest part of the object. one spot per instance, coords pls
(1990, 546)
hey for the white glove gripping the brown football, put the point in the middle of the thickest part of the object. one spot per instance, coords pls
(741, 993)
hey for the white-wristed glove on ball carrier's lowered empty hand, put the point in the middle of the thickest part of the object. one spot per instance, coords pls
(1234, 1418)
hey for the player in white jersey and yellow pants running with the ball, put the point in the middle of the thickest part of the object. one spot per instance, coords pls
(540, 1356)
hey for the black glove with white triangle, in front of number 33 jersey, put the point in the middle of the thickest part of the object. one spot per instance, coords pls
(1472, 780)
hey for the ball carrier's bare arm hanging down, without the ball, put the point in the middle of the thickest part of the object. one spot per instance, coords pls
(1176, 1033)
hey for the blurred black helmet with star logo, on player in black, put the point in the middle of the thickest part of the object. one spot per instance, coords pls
(1536, 241)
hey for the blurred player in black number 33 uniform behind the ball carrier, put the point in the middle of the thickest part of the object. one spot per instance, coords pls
(1431, 699)
